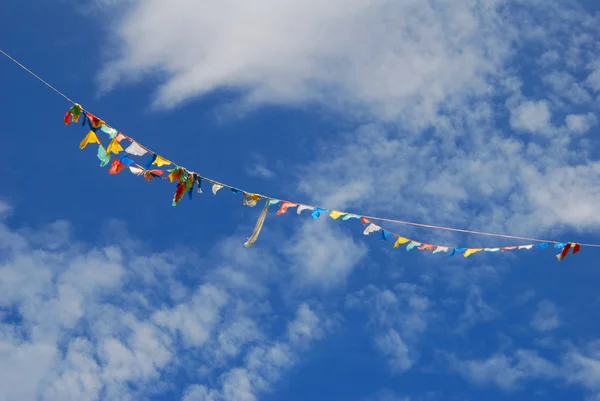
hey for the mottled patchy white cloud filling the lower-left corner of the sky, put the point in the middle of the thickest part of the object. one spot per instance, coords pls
(89, 322)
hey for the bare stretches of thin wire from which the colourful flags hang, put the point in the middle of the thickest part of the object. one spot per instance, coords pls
(408, 223)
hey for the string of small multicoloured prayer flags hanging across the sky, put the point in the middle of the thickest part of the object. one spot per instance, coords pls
(186, 180)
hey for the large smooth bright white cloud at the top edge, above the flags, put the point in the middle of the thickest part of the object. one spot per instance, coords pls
(394, 57)
